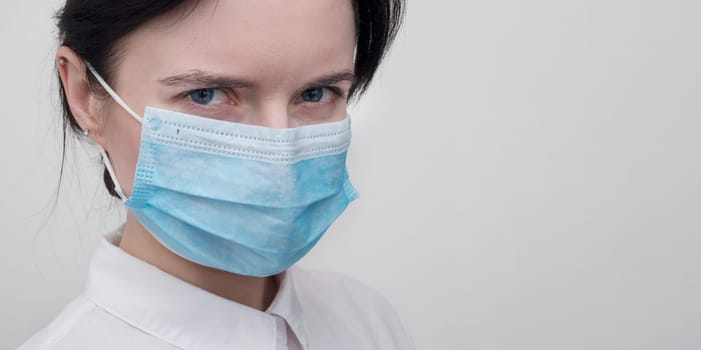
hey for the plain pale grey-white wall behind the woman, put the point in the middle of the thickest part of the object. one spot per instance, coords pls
(529, 177)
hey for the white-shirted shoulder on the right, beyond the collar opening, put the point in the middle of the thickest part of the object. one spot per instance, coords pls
(336, 303)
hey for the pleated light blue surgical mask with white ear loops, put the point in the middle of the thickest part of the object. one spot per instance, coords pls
(246, 199)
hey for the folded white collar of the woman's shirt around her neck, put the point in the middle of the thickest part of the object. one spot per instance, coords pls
(183, 314)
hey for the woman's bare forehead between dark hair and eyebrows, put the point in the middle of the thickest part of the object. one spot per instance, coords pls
(258, 39)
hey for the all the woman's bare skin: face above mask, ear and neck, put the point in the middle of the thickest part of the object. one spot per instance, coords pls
(268, 57)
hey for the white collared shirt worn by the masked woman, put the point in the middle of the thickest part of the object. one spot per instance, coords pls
(130, 304)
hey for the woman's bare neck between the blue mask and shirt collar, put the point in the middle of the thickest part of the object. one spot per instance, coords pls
(255, 292)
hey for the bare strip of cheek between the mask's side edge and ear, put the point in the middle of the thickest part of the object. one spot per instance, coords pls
(122, 138)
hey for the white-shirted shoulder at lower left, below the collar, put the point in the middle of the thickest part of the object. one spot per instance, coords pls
(83, 325)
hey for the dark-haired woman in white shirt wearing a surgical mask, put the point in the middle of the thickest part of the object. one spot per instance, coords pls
(223, 128)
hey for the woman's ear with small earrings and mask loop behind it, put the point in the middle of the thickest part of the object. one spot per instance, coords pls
(84, 105)
